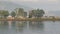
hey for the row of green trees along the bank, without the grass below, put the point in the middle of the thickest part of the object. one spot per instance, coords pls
(32, 13)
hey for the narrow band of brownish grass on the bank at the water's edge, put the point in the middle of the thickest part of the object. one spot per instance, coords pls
(31, 19)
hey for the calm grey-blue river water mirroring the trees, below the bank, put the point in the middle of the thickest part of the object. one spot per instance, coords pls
(23, 27)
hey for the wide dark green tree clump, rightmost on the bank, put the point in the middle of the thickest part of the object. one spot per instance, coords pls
(36, 13)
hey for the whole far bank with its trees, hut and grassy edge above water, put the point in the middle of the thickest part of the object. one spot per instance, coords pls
(19, 14)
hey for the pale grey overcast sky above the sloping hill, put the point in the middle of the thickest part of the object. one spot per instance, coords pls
(47, 5)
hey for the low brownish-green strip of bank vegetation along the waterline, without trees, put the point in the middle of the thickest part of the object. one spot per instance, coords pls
(31, 19)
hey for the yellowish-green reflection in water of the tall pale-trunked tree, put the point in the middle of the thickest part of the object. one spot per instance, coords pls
(20, 26)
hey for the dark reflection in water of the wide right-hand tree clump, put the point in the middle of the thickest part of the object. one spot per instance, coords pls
(36, 26)
